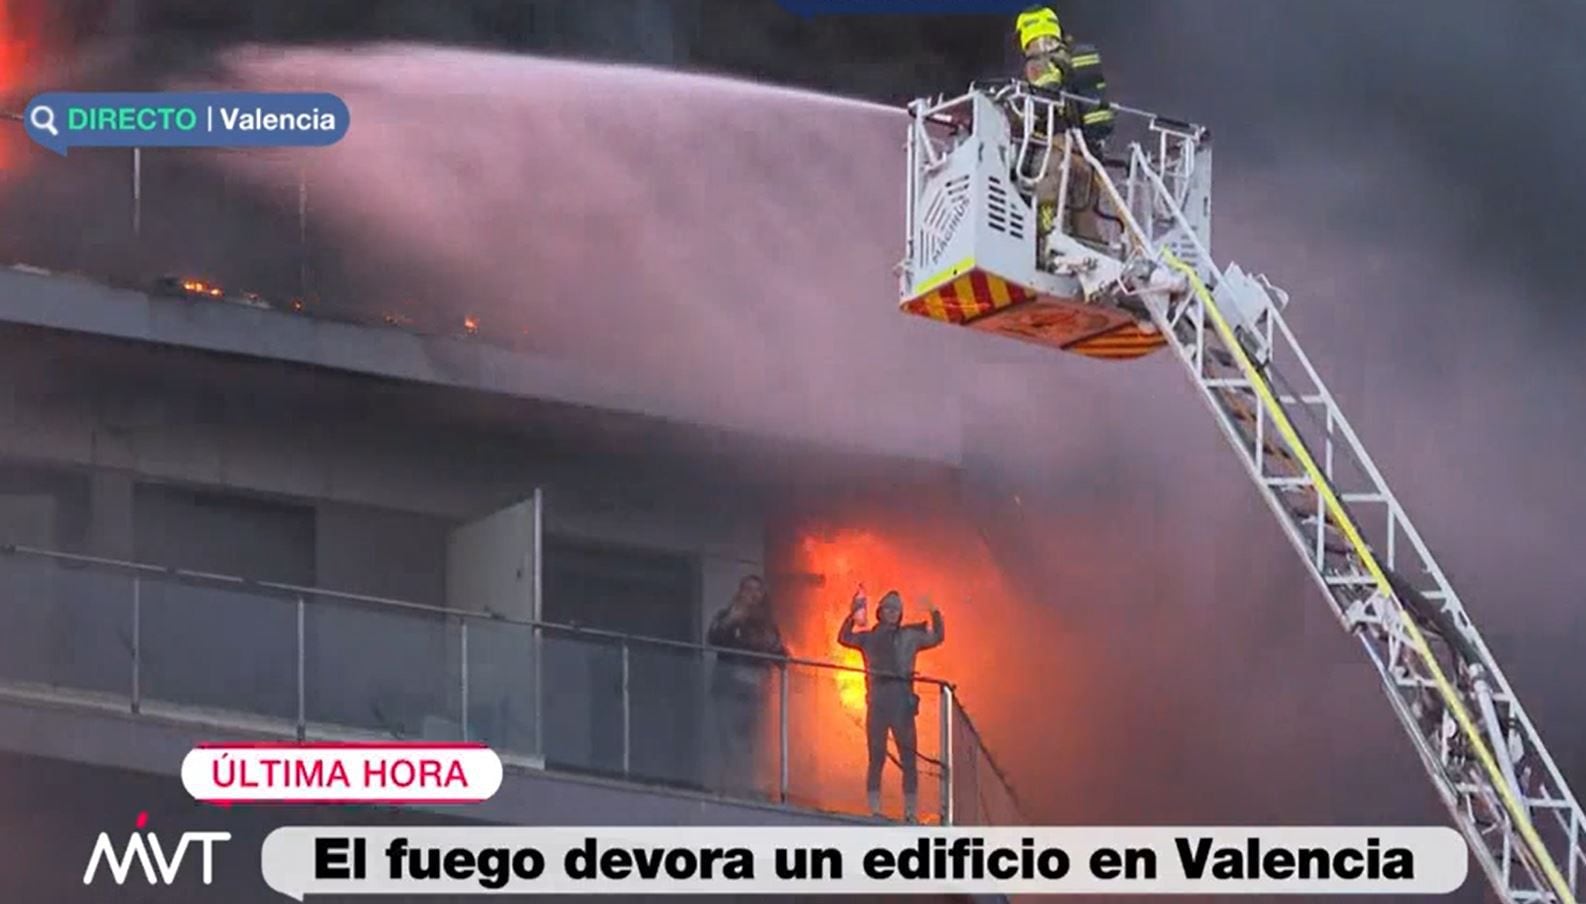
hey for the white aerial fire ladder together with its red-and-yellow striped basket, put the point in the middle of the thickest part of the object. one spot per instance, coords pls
(1021, 226)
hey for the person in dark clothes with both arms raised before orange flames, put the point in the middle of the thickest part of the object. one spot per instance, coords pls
(892, 707)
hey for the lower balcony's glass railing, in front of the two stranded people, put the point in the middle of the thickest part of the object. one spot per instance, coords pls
(310, 664)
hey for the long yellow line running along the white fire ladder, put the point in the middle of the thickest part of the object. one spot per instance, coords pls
(1417, 638)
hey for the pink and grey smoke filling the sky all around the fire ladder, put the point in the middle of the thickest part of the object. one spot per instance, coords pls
(1404, 169)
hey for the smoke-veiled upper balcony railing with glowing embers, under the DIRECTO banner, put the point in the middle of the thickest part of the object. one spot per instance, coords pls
(221, 226)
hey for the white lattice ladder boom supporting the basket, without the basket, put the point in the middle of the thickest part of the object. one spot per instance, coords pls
(1479, 746)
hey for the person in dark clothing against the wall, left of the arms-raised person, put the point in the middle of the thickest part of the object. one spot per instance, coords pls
(740, 684)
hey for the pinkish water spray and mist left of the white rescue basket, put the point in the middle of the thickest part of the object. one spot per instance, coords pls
(529, 193)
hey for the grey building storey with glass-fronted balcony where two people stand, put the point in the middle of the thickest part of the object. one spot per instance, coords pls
(220, 521)
